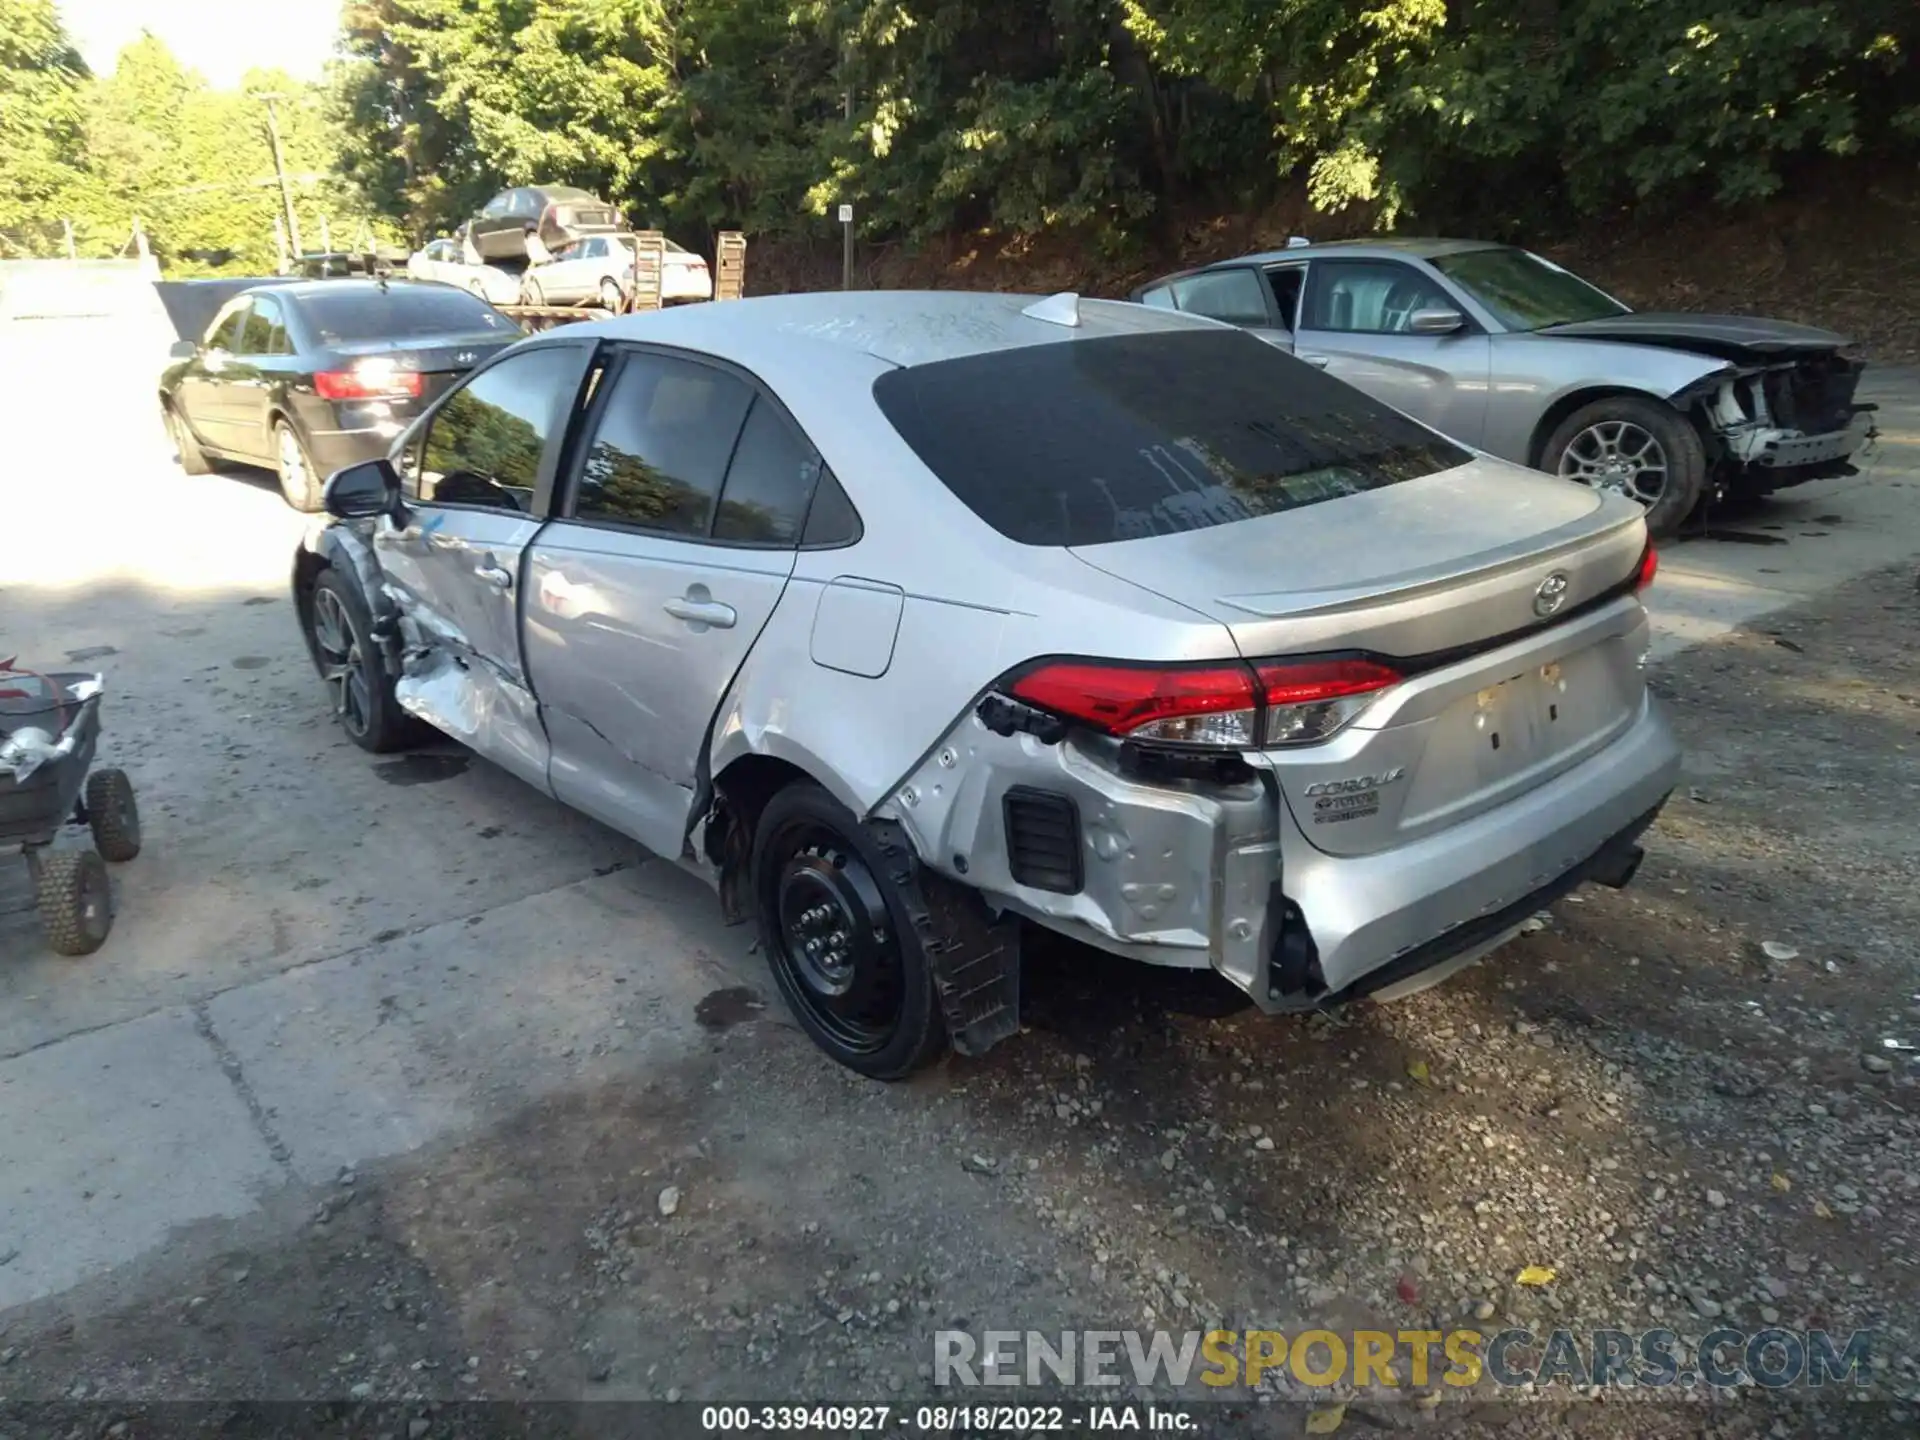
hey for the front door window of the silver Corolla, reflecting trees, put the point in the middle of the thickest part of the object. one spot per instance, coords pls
(483, 446)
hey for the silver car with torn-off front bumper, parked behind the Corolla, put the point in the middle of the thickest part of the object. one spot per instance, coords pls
(1518, 356)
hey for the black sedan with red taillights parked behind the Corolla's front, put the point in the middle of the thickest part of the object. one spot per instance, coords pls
(308, 377)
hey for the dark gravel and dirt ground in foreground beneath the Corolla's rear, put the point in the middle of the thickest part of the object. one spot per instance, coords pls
(1677, 1099)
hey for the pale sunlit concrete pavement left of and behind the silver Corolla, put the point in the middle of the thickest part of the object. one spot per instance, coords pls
(324, 959)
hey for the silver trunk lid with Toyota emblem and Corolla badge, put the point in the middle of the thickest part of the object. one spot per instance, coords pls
(1487, 585)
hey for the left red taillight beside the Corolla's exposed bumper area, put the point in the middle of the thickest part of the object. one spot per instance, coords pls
(1226, 706)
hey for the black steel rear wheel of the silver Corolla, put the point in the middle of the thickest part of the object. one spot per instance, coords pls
(840, 940)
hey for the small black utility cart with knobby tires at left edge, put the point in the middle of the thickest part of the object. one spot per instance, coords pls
(49, 736)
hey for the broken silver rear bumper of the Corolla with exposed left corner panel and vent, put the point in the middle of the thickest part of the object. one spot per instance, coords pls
(1212, 871)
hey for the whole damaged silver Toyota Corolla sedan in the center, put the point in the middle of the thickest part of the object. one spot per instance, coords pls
(911, 619)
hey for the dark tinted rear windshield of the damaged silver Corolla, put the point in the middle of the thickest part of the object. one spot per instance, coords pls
(1092, 441)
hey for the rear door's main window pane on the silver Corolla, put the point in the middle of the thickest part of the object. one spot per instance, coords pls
(661, 446)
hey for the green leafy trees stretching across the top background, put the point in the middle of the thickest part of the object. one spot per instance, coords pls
(1692, 147)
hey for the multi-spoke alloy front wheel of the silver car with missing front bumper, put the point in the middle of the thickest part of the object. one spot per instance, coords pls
(1637, 448)
